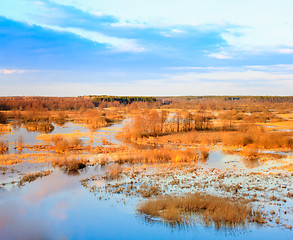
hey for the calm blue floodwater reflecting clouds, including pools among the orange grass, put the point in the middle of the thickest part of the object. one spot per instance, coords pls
(58, 207)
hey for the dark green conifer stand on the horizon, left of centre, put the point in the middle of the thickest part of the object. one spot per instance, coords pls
(123, 100)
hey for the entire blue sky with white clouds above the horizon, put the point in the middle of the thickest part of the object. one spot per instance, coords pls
(146, 47)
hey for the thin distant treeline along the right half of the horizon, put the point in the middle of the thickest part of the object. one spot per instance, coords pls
(272, 99)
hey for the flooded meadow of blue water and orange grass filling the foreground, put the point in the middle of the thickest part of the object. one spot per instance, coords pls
(75, 182)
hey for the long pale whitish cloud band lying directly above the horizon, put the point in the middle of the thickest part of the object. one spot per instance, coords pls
(155, 87)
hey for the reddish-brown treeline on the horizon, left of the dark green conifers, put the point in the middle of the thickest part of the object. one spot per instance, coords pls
(45, 103)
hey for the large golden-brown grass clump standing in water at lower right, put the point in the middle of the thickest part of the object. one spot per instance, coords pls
(220, 211)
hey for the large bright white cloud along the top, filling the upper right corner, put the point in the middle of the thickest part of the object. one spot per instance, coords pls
(261, 25)
